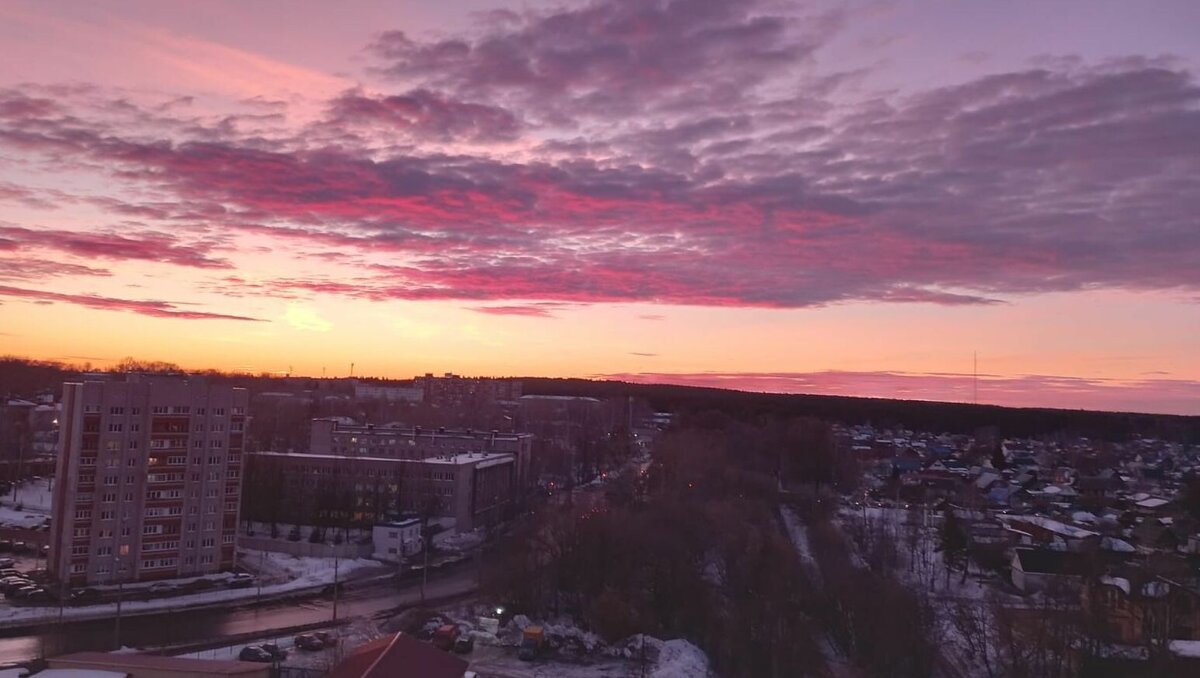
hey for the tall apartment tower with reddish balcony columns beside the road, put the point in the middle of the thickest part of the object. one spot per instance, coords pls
(149, 479)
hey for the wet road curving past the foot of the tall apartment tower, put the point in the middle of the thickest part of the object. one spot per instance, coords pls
(199, 626)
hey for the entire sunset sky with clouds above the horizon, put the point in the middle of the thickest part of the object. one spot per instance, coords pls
(919, 200)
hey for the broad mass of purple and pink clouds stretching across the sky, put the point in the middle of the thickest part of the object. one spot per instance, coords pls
(686, 153)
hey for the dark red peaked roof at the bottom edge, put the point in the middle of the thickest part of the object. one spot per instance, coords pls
(399, 657)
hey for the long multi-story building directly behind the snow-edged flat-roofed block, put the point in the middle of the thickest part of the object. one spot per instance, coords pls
(333, 437)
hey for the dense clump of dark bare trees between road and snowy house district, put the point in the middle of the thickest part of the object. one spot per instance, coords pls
(693, 550)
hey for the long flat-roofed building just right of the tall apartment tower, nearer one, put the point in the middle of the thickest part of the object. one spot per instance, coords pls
(475, 489)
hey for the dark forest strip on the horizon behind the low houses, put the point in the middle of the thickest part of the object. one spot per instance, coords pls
(919, 416)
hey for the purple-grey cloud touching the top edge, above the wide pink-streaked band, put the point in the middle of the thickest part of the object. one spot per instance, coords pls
(611, 58)
